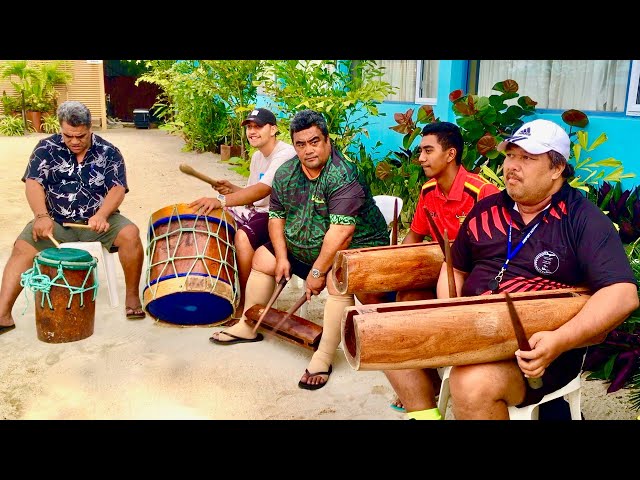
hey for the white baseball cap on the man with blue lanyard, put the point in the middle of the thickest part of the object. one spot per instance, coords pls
(539, 136)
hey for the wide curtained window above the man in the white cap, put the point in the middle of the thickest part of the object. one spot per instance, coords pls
(589, 85)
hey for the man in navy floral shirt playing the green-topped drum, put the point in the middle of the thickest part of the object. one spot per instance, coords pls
(74, 176)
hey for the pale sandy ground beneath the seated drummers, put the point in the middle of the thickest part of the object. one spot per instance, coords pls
(147, 370)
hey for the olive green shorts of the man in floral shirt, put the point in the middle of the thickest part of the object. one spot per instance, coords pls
(70, 234)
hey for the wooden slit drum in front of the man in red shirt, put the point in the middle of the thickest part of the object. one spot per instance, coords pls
(387, 269)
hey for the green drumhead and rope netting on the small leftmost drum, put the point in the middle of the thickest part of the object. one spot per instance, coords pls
(61, 259)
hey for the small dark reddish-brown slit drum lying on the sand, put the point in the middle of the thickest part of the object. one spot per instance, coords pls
(294, 329)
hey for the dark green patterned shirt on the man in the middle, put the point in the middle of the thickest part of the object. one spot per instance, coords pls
(337, 196)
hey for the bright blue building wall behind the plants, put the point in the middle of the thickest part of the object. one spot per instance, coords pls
(623, 131)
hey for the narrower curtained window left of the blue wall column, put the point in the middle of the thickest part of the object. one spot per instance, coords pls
(416, 80)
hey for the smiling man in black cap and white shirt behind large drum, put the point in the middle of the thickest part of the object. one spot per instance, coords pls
(250, 205)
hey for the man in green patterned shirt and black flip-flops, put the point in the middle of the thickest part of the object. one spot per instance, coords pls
(319, 205)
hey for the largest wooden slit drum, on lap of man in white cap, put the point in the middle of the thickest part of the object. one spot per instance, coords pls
(455, 331)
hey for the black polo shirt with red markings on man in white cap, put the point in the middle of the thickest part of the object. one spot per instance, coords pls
(574, 244)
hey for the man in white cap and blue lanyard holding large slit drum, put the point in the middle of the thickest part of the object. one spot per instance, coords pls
(539, 233)
